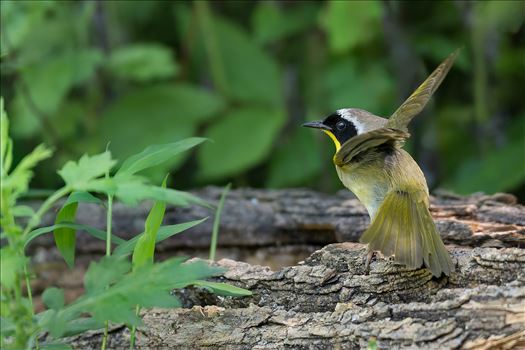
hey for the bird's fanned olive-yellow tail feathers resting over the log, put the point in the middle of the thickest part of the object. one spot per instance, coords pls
(403, 227)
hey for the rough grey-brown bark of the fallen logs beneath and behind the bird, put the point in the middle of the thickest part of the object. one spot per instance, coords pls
(328, 300)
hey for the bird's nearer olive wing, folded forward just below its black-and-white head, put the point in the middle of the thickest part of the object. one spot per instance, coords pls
(366, 141)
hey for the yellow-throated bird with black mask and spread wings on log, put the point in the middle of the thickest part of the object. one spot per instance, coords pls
(371, 162)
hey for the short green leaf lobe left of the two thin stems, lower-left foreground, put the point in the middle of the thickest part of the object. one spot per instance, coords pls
(105, 272)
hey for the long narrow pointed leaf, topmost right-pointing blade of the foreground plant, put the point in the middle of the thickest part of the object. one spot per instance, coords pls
(156, 154)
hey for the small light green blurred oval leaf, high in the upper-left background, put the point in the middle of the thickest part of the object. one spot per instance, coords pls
(142, 62)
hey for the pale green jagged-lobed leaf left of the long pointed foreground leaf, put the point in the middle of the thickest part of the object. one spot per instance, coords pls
(78, 174)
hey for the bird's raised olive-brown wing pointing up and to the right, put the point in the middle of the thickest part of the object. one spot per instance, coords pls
(419, 98)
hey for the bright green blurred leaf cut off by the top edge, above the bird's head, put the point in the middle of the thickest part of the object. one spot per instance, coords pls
(350, 23)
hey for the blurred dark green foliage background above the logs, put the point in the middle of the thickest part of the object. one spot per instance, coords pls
(79, 74)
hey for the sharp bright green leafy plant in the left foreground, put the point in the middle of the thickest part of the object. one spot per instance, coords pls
(115, 287)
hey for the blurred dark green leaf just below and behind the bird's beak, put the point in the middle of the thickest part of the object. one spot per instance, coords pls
(296, 161)
